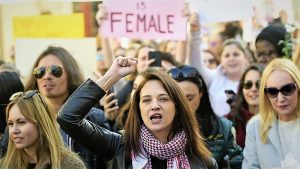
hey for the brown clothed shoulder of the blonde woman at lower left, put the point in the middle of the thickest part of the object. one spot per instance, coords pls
(71, 160)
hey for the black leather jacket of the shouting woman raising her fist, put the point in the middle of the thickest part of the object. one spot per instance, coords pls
(108, 145)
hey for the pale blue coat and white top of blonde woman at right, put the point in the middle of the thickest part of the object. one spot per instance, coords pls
(273, 154)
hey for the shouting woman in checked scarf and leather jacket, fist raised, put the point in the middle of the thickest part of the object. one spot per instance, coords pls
(160, 131)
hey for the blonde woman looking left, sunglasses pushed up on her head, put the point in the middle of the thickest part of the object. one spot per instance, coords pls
(34, 138)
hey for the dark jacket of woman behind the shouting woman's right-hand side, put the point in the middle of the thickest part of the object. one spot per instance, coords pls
(222, 144)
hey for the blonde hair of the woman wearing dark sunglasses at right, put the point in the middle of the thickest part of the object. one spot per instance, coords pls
(266, 112)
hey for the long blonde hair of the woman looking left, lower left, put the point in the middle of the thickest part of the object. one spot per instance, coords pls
(37, 111)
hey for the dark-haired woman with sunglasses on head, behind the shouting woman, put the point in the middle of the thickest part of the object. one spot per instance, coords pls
(217, 131)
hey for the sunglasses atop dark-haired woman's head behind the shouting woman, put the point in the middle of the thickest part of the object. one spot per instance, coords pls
(184, 73)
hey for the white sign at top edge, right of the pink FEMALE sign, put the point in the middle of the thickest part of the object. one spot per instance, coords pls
(222, 10)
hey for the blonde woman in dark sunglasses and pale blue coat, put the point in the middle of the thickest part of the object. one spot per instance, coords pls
(273, 136)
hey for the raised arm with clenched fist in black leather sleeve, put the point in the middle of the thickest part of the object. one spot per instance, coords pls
(71, 117)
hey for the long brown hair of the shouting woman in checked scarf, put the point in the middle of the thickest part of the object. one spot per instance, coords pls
(184, 119)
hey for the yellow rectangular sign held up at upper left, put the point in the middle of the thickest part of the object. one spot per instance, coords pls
(49, 26)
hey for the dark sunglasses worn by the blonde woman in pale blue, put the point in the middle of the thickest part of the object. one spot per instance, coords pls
(286, 90)
